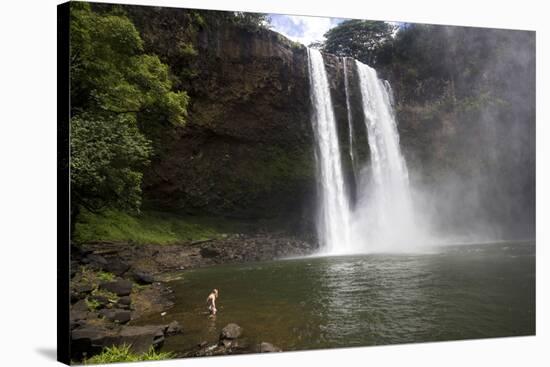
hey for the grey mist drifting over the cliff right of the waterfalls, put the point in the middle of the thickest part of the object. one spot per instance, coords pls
(472, 167)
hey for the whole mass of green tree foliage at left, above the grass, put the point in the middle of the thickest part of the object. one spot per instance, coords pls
(117, 93)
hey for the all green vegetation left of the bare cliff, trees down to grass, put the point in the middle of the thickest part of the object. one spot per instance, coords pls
(129, 81)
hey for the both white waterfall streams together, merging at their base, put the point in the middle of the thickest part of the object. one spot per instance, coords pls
(381, 218)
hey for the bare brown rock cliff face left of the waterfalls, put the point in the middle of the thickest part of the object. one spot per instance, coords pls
(247, 150)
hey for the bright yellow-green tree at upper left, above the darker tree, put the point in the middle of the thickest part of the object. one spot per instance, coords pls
(110, 74)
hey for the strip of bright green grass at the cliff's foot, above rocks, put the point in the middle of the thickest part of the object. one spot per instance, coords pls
(147, 228)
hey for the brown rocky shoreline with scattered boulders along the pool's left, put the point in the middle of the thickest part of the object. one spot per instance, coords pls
(115, 284)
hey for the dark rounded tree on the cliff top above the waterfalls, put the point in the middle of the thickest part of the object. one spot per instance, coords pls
(360, 39)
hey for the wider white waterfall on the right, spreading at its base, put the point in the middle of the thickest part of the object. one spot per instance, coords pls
(385, 217)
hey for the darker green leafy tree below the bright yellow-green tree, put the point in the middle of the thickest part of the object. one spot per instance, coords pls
(107, 157)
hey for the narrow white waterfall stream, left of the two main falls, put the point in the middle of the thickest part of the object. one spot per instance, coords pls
(333, 224)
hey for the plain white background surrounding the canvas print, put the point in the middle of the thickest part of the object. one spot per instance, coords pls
(28, 182)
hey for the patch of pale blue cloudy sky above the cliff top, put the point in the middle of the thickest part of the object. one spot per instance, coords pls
(303, 29)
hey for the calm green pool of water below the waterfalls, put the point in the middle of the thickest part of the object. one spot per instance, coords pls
(458, 292)
